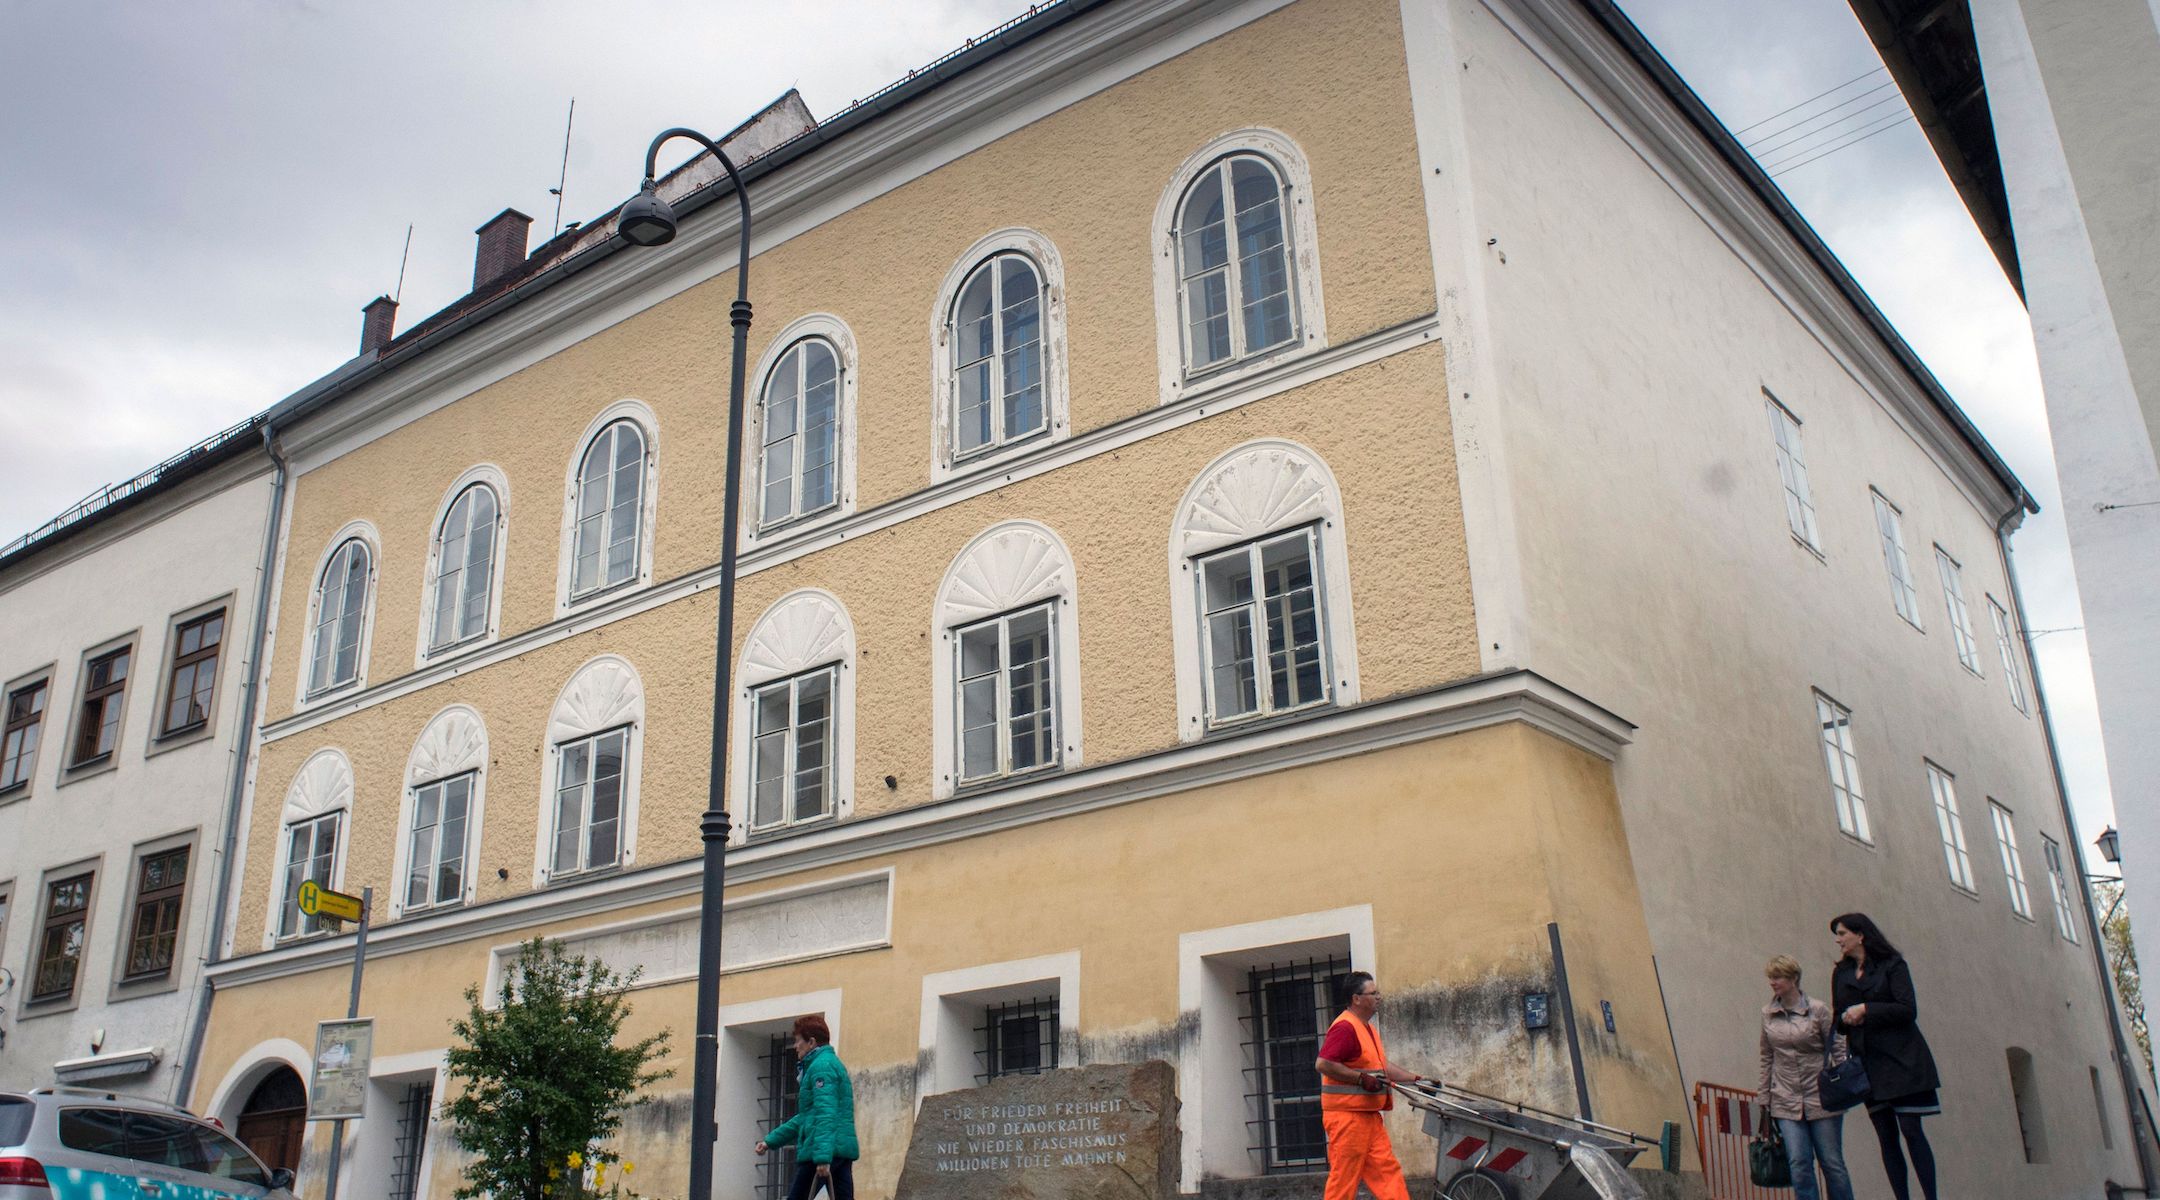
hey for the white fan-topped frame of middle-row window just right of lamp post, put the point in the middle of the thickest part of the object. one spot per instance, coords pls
(798, 642)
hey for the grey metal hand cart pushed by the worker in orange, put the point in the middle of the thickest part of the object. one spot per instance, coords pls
(1496, 1149)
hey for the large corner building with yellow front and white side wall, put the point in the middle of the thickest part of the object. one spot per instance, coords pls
(1237, 491)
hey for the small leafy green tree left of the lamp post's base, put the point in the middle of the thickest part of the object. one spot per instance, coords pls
(543, 1074)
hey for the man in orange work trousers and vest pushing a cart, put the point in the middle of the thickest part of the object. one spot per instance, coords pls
(1353, 1095)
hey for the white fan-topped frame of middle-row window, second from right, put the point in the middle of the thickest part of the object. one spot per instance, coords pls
(1010, 569)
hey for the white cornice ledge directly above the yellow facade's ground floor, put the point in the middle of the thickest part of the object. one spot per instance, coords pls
(1325, 737)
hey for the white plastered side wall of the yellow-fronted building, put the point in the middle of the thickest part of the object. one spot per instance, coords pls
(1625, 519)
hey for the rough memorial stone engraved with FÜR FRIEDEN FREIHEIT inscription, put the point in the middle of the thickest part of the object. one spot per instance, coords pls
(1077, 1134)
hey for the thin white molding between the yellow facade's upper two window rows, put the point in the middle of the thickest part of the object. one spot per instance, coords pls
(781, 549)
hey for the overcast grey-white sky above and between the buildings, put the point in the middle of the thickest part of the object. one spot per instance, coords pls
(195, 202)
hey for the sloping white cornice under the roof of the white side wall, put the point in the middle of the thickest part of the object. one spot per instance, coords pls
(1604, 77)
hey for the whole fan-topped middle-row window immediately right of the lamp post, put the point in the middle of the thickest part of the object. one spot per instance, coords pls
(796, 733)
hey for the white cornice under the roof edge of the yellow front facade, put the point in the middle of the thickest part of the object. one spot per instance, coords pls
(988, 103)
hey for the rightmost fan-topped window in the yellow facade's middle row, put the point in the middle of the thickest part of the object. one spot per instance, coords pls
(1260, 590)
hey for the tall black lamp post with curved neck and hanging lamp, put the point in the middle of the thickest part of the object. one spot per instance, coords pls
(649, 221)
